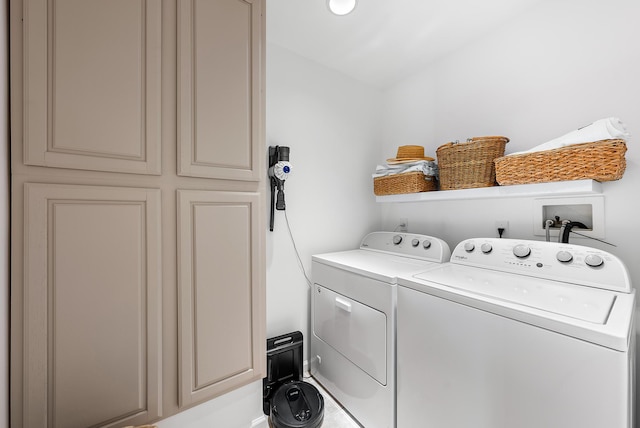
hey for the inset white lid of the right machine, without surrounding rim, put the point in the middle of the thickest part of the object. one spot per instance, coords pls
(583, 303)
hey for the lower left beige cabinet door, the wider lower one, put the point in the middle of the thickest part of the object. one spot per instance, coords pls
(92, 305)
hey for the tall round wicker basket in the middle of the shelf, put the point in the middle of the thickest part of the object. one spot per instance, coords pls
(469, 165)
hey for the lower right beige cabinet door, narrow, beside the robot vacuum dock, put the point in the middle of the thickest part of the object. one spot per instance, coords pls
(221, 293)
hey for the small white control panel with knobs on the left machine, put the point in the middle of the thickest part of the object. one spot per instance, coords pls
(422, 247)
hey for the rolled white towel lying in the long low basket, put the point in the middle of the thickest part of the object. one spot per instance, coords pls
(603, 129)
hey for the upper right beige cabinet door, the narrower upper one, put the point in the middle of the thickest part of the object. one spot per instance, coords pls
(220, 88)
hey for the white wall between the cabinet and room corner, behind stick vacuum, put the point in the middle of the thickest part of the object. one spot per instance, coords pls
(333, 126)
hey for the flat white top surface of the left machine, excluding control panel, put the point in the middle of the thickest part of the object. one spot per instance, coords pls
(380, 266)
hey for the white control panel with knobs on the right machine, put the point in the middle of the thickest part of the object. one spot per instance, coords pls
(569, 263)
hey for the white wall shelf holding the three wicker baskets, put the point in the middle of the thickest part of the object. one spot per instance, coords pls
(561, 188)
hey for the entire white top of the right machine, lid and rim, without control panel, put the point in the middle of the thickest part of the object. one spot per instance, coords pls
(602, 317)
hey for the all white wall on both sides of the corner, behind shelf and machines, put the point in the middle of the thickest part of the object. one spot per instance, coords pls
(561, 66)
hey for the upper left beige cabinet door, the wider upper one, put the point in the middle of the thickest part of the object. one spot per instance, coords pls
(92, 93)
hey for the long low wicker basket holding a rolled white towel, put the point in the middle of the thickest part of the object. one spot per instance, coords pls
(600, 160)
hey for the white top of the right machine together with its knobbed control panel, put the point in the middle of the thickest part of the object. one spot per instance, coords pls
(579, 291)
